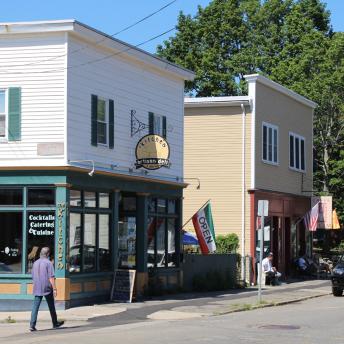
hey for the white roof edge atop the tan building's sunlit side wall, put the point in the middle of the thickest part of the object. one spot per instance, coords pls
(216, 101)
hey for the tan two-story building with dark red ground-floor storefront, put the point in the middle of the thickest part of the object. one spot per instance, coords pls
(250, 148)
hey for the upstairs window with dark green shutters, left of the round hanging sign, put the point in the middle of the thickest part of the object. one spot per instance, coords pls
(102, 121)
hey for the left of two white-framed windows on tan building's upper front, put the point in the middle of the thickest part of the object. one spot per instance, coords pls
(270, 143)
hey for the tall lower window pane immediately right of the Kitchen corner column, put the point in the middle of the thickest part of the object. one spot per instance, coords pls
(75, 242)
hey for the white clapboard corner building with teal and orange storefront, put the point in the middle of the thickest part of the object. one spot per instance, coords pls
(91, 146)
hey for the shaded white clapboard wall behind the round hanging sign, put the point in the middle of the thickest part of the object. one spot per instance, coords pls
(132, 87)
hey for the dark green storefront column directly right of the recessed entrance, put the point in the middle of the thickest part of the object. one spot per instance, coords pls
(141, 244)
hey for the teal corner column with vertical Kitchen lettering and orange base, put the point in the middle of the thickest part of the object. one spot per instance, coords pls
(61, 233)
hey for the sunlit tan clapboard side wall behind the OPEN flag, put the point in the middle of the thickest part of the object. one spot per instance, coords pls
(213, 153)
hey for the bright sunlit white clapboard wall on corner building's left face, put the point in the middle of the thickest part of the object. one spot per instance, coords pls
(35, 63)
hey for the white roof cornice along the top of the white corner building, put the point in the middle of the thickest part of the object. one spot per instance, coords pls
(86, 31)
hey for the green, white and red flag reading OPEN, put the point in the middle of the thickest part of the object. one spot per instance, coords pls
(204, 227)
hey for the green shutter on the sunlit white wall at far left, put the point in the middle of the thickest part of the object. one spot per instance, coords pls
(14, 113)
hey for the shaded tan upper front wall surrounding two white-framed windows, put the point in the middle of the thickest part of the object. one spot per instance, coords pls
(289, 115)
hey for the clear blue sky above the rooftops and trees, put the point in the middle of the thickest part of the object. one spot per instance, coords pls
(111, 16)
